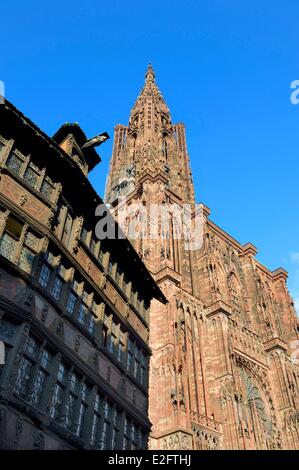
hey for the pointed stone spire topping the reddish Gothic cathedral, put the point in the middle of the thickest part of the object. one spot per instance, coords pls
(150, 144)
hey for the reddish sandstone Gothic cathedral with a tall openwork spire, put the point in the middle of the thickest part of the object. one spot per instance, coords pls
(223, 371)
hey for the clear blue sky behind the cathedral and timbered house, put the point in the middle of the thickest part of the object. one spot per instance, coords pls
(224, 67)
